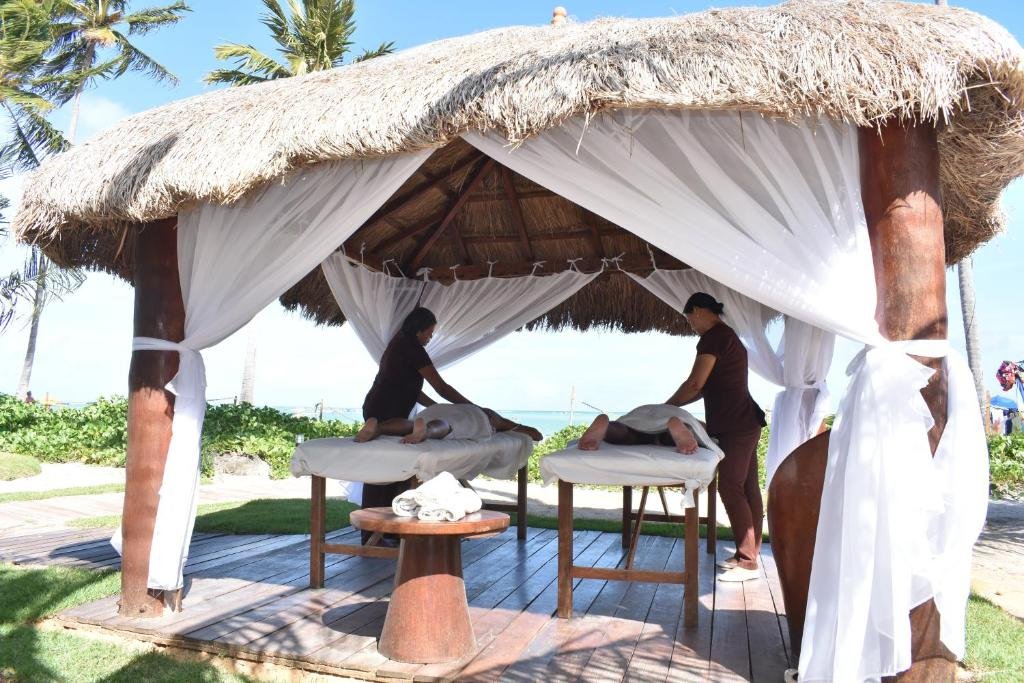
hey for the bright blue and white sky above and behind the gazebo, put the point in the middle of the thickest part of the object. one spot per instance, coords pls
(84, 341)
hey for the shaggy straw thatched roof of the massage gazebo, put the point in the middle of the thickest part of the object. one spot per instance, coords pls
(857, 61)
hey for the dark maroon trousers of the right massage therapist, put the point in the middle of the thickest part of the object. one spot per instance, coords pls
(741, 493)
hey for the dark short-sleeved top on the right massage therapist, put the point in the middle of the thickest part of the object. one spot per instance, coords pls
(729, 404)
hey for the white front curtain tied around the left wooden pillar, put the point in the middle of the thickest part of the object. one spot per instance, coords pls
(233, 262)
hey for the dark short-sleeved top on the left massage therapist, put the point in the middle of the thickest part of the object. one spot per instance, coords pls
(399, 382)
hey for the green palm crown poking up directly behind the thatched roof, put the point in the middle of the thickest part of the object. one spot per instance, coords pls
(316, 36)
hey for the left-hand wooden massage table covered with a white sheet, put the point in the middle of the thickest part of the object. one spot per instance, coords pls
(501, 456)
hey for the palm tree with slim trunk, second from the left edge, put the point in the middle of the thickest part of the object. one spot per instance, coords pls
(84, 31)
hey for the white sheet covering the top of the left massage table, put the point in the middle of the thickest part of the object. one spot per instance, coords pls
(387, 459)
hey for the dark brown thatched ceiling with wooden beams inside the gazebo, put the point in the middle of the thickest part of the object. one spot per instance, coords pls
(464, 216)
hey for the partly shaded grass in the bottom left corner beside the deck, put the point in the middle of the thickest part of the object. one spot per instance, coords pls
(29, 653)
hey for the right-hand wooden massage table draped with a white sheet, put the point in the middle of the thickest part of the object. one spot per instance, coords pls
(630, 466)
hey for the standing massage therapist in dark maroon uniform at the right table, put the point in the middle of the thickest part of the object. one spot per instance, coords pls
(719, 376)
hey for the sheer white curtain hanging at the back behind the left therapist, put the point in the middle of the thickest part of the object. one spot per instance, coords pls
(471, 314)
